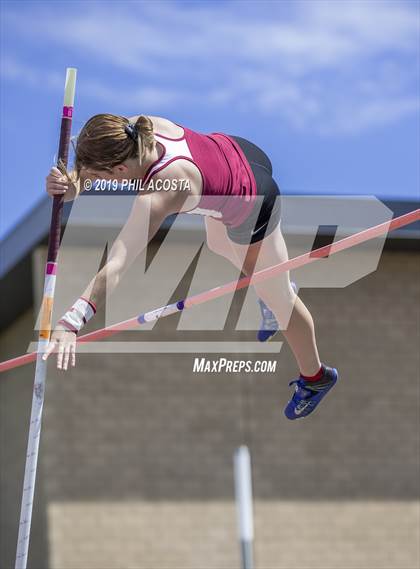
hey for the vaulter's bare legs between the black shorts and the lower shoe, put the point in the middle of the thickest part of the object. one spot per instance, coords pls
(293, 317)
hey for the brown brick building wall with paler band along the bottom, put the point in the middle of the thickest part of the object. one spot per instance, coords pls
(136, 450)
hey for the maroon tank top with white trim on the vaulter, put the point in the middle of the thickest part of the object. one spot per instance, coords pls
(229, 186)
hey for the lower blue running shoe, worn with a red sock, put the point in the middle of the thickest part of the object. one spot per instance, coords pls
(307, 396)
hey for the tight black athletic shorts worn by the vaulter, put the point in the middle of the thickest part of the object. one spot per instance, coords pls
(265, 216)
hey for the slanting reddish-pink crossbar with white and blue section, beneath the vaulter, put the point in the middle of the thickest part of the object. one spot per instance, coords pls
(219, 291)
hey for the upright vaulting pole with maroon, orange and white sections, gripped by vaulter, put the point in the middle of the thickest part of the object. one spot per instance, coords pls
(44, 334)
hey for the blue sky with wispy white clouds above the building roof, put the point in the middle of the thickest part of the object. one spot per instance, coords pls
(329, 89)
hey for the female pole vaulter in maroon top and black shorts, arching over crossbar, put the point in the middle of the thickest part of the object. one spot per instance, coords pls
(243, 229)
